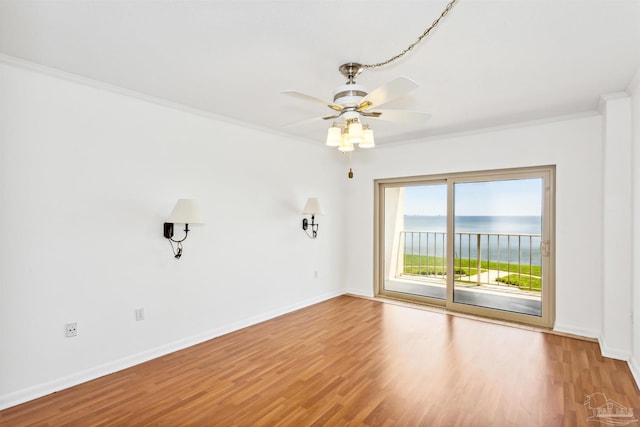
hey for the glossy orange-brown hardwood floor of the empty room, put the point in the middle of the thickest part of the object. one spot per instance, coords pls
(358, 362)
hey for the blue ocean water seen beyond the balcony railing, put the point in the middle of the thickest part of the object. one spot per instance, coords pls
(504, 247)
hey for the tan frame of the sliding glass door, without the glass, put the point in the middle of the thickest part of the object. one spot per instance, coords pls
(547, 173)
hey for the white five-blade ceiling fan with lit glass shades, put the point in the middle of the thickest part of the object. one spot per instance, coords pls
(352, 101)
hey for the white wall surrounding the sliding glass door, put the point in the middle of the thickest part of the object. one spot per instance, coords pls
(574, 145)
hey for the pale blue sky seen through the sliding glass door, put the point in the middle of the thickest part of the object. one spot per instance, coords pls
(490, 198)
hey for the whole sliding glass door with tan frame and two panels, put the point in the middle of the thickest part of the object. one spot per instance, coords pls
(480, 242)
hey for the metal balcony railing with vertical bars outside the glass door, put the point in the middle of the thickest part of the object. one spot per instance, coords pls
(505, 259)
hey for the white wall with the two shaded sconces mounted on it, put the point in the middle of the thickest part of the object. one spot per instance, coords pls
(87, 178)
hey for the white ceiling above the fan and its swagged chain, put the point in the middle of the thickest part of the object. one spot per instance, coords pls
(488, 63)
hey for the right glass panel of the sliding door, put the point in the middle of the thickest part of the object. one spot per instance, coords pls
(497, 235)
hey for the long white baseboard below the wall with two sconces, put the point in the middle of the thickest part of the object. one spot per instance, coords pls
(21, 396)
